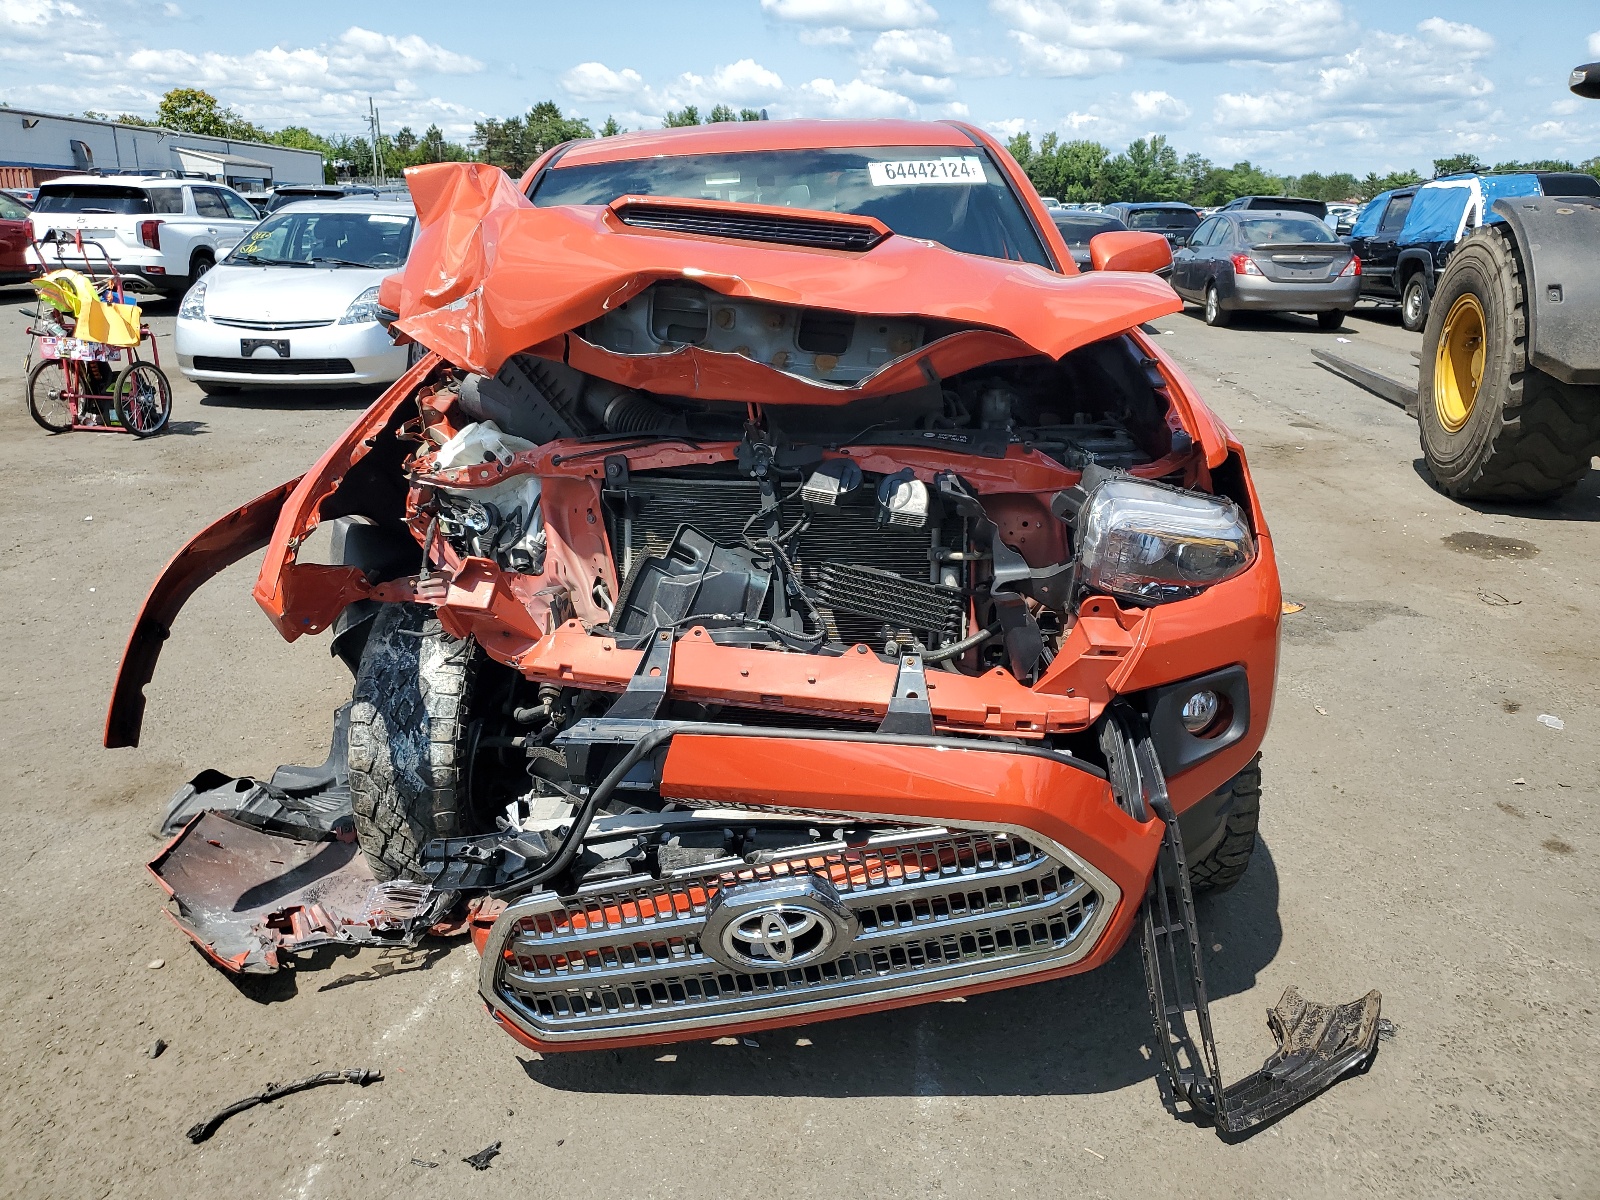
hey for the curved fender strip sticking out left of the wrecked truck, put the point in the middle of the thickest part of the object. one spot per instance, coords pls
(217, 548)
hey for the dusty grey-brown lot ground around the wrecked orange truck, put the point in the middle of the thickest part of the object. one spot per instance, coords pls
(1425, 834)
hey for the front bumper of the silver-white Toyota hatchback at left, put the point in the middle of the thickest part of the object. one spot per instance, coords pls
(326, 356)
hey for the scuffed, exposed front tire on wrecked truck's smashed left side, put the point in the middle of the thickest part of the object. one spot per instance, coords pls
(407, 730)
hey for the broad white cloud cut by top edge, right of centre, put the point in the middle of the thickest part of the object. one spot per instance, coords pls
(1182, 31)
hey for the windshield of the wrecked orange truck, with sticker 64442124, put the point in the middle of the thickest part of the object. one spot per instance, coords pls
(958, 199)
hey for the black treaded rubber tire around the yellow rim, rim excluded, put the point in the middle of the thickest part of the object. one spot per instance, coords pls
(1545, 433)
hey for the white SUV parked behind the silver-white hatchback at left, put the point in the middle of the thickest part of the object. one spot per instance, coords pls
(161, 233)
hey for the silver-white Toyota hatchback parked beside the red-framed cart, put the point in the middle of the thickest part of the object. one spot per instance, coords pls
(295, 305)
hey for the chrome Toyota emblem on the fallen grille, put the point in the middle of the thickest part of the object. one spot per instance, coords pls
(778, 926)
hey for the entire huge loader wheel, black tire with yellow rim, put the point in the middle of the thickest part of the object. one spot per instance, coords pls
(1492, 426)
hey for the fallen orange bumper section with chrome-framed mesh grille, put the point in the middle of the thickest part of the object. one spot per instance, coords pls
(1002, 868)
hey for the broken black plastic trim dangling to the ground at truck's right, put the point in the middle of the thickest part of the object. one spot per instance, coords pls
(1318, 1044)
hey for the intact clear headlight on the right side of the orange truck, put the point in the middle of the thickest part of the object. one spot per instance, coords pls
(1154, 545)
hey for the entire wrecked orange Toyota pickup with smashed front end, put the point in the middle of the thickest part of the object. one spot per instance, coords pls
(764, 658)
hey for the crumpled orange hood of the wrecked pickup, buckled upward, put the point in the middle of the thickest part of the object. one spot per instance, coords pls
(492, 276)
